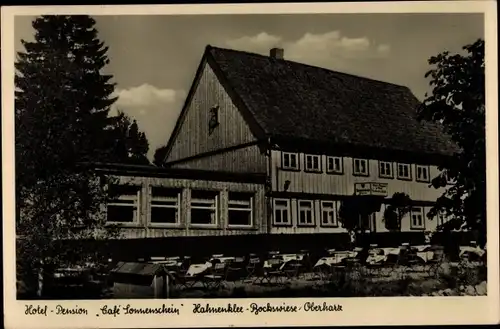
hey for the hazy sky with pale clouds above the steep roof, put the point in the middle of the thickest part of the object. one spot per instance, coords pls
(153, 59)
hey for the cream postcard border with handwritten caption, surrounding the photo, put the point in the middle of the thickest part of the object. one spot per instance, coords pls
(356, 311)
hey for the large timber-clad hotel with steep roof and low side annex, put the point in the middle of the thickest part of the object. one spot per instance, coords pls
(267, 146)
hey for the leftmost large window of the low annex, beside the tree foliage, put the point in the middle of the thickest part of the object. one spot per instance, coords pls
(123, 208)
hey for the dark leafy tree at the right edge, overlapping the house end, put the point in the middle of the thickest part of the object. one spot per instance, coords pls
(457, 102)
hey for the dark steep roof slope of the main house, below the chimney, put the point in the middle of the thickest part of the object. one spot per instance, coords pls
(290, 100)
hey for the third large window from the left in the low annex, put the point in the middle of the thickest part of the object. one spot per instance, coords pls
(204, 207)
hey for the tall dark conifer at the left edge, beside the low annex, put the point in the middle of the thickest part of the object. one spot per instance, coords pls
(61, 116)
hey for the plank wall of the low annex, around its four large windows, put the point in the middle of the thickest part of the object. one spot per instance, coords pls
(142, 225)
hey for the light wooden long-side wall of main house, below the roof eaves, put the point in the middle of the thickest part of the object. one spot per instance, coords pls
(321, 187)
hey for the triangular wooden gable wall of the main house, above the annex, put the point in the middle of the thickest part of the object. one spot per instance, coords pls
(211, 125)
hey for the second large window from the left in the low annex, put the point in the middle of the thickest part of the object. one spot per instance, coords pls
(165, 205)
